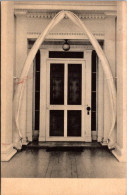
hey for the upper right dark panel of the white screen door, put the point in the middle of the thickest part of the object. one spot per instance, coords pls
(74, 84)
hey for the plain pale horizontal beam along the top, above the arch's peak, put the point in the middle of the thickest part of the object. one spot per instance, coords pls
(57, 5)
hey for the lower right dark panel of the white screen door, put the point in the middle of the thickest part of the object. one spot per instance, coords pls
(74, 123)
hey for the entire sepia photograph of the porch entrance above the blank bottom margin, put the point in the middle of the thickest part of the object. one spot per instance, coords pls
(63, 90)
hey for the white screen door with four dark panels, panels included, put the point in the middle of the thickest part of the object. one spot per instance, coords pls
(67, 116)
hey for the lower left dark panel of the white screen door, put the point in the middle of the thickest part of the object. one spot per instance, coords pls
(56, 122)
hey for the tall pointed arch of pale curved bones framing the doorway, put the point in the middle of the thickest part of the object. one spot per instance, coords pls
(104, 63)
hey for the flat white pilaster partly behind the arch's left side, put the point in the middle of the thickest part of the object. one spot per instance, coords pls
(21, 55)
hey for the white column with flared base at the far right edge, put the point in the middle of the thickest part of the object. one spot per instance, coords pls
(120, 151)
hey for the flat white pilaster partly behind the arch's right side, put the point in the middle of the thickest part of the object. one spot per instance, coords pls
(109, 49)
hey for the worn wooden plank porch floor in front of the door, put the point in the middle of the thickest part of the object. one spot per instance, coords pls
(95, 162)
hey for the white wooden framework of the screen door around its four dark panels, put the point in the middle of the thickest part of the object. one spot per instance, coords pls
(65, 107)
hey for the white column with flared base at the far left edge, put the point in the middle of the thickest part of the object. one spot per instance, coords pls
(7, 65)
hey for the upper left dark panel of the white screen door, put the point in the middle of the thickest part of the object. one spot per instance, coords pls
(57, 84)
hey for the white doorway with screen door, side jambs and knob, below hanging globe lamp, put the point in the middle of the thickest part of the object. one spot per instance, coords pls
(65, 97)
